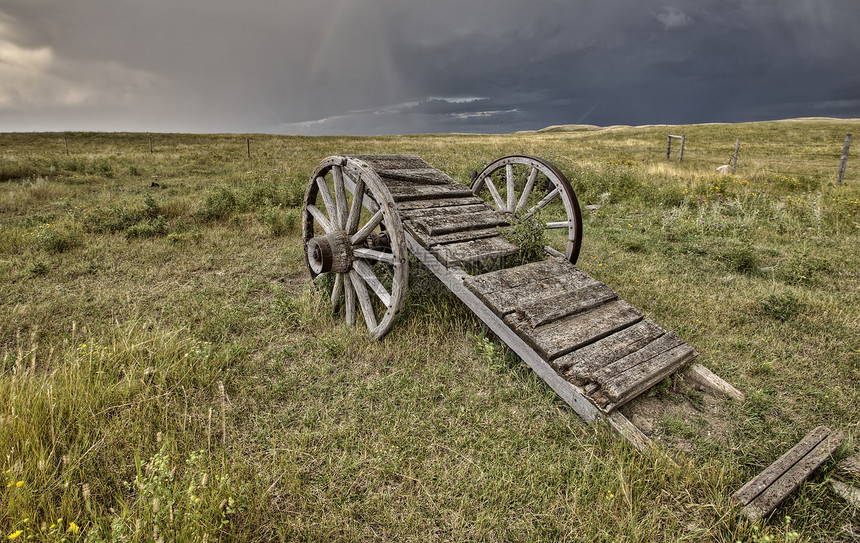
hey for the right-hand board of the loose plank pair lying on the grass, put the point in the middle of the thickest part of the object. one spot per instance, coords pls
(771, 496)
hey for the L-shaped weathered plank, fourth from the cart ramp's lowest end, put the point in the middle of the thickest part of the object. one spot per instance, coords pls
(561, 337)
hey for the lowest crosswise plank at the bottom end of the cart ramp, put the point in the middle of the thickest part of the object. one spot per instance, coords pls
(638, 379)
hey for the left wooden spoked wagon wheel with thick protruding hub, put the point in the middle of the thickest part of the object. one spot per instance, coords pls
(357, 237)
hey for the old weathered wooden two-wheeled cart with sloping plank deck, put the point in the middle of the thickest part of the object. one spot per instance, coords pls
(363, 214)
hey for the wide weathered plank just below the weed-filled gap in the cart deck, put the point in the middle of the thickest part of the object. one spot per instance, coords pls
(504, 290)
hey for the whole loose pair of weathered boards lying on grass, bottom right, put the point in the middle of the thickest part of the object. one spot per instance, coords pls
(765, 492)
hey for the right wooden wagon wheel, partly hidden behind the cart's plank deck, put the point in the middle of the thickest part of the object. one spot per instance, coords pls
(517, 194)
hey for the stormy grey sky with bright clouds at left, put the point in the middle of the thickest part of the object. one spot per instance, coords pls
(371, 67)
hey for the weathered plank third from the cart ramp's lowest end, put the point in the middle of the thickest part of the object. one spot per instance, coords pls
(579, 365)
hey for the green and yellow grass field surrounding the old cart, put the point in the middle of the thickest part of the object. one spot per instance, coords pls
(167, 374)
